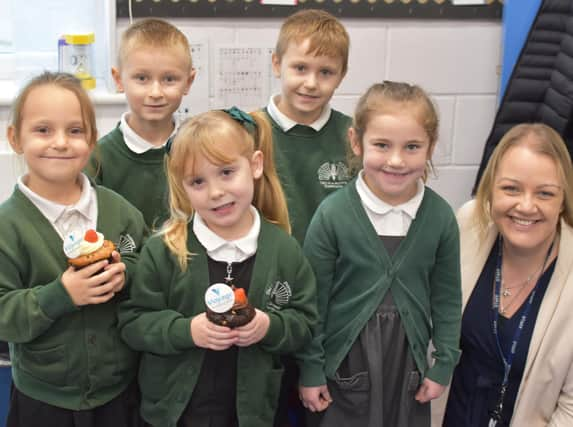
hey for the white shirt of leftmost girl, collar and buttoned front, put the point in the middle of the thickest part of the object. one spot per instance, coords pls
(78, 217)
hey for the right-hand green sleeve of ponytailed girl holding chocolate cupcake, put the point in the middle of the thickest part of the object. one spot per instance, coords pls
(290, 328)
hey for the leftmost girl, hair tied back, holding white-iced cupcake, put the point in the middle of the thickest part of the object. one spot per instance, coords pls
(69, 366)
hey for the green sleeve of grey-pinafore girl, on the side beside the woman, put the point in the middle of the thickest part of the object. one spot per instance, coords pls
(445, 303)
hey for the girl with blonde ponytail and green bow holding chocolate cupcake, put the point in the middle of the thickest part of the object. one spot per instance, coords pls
(229, 226)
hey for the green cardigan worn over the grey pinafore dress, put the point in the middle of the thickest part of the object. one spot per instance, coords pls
(354, 272)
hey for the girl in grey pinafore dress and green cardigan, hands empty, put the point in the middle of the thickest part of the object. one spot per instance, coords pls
(385, 252)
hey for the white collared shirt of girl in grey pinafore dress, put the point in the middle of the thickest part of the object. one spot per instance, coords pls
(389, 220)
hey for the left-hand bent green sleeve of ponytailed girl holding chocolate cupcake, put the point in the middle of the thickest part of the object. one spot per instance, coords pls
(146, 322)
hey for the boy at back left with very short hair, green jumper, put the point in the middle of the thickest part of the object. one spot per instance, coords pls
(155, 71)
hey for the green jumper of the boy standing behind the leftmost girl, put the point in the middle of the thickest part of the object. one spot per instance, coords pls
(140, 178)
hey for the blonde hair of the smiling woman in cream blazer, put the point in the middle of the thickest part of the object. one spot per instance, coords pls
(546, 142)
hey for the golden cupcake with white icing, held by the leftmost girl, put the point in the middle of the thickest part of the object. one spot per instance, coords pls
(88, 250)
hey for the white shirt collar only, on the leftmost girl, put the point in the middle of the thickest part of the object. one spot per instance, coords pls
(52, 211)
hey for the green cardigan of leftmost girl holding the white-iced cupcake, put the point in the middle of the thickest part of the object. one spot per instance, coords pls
(66, 356)
